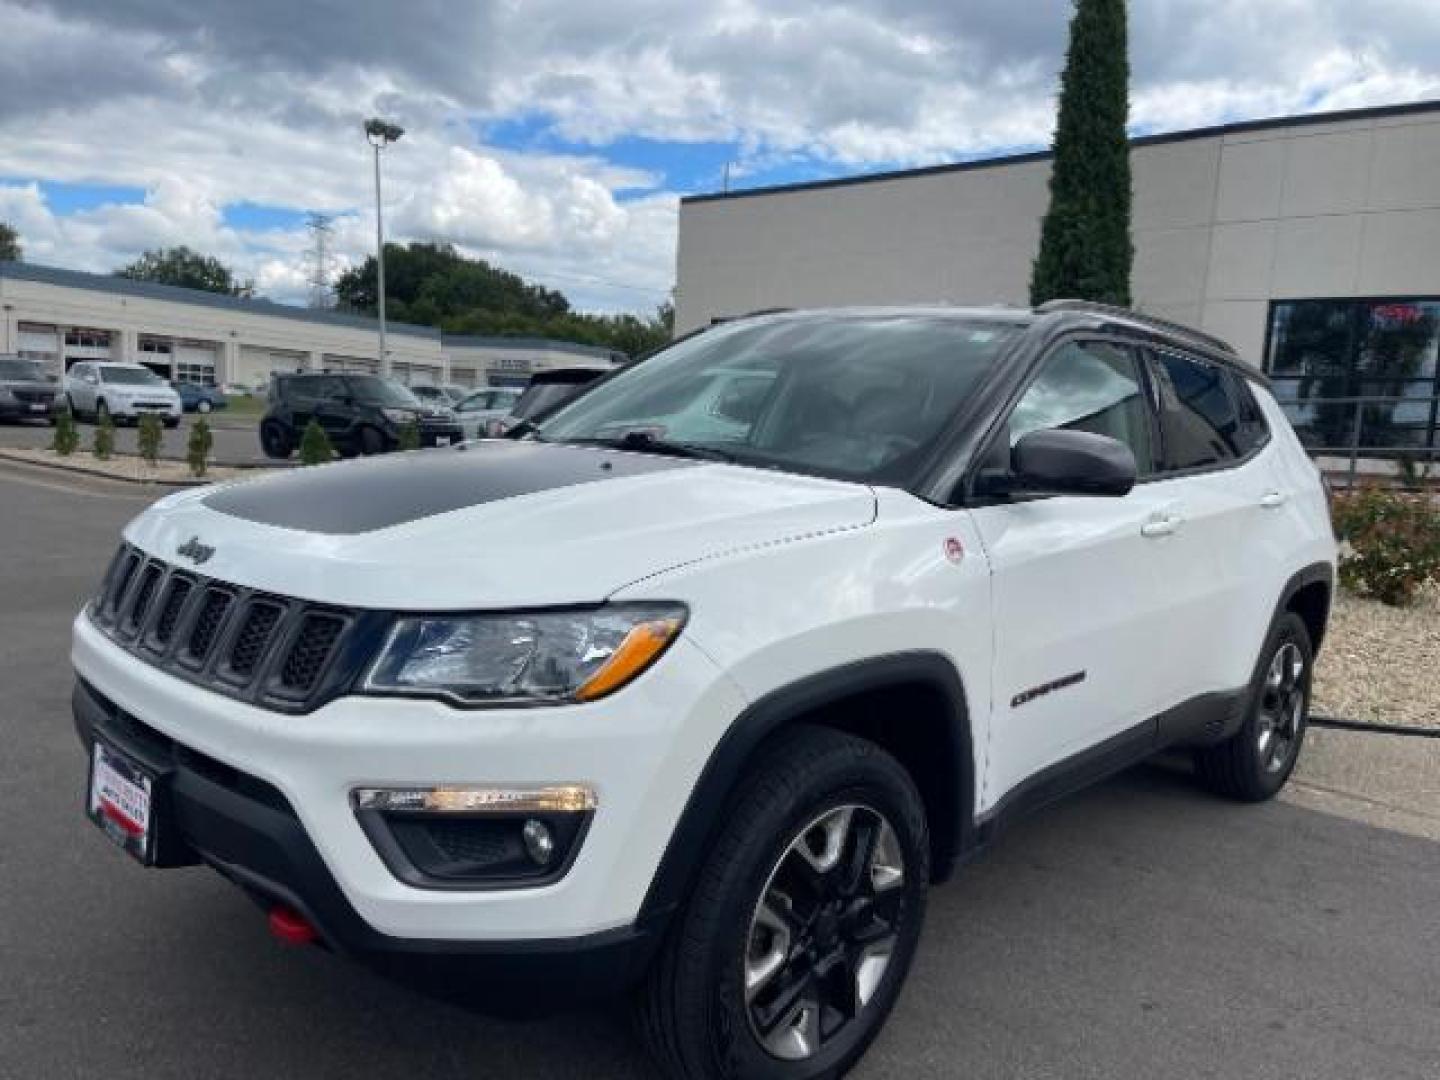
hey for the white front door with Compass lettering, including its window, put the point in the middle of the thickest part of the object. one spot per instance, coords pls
(1081, 607)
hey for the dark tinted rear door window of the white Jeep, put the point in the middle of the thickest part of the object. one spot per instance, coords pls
(1199, 418)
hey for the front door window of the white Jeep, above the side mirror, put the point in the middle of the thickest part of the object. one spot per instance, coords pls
(1091, 387)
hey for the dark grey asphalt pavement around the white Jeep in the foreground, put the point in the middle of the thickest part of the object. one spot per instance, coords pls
(1140, 931)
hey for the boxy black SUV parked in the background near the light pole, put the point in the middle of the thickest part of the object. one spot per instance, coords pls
(362, 414)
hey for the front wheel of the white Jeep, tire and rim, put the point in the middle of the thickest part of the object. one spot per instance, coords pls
(754, 918)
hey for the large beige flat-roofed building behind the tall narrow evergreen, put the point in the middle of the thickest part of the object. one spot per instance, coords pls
(1313, 244)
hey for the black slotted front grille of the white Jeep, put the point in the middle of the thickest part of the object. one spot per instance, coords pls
(274, 652)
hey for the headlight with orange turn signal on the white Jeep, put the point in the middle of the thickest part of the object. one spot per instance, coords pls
(544, 657)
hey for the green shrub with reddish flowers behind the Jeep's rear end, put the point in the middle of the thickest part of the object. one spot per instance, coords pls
(1392, 544)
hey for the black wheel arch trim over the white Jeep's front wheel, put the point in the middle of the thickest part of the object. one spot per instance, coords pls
(706, 810)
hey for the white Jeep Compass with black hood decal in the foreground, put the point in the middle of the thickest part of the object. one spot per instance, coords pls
(614, 705)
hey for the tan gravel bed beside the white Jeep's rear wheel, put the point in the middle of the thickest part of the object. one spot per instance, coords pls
(1382, 665)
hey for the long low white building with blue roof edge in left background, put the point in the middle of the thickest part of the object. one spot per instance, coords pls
(60, 316)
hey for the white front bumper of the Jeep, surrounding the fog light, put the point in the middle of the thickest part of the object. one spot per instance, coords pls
(629, 748)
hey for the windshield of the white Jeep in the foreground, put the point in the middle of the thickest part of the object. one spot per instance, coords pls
(852, 397)
